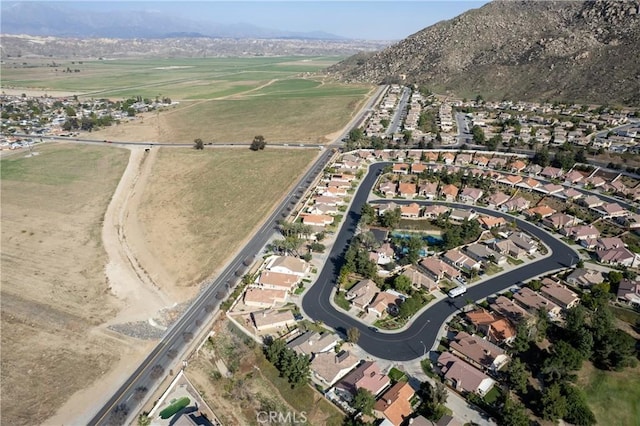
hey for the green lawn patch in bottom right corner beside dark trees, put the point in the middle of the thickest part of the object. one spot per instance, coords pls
(614, 397)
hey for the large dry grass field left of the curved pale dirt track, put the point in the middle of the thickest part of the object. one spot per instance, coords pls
(53, 284)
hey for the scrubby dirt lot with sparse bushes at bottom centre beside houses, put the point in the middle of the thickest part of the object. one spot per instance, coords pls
(249, 387)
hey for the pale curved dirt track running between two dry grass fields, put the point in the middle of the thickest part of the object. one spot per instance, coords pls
(128, 281)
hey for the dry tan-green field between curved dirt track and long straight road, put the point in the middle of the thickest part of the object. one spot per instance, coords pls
(199, 206)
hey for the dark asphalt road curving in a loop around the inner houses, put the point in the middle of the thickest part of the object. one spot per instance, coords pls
(414, 341)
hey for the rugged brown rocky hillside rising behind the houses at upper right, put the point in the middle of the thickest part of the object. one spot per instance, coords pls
(535, 50)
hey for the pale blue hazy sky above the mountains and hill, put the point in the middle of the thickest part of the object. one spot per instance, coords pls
(373, 20)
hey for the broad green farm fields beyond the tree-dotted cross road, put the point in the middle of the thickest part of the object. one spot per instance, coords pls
(221, 100)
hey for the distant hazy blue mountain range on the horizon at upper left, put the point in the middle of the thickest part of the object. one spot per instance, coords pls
(62, 20)
